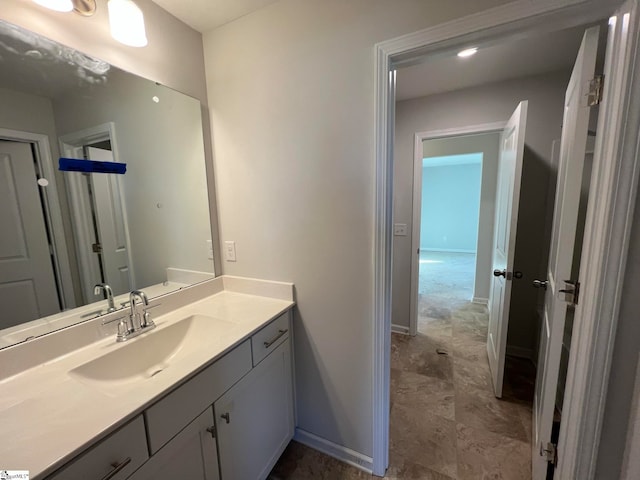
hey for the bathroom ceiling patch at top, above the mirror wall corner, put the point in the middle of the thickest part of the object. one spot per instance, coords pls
(205, 15)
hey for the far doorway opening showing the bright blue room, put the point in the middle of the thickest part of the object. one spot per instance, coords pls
(454, 182)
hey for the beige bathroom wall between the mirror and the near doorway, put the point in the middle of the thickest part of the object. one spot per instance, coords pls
(292, 104)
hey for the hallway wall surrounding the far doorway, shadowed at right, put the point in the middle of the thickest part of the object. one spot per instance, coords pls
(474, 106)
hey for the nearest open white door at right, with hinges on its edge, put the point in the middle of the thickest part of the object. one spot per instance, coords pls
(563, 239)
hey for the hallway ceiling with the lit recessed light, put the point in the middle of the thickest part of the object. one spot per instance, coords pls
(548, 52)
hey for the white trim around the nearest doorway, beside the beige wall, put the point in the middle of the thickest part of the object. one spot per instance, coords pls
(510, 19)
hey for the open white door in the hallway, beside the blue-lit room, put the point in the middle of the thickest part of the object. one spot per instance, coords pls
(504, 240)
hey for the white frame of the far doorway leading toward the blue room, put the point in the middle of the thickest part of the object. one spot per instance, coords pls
(419, 138)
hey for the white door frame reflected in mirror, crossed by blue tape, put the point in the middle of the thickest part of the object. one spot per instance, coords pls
(71, 145)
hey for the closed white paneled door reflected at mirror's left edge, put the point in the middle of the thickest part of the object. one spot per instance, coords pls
(27, 283)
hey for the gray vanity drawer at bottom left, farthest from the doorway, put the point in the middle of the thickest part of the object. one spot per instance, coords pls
(116, 457)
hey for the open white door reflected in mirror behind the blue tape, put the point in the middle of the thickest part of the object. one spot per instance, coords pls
(110, 224)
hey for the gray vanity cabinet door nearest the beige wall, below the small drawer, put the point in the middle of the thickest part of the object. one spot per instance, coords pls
(254, 418)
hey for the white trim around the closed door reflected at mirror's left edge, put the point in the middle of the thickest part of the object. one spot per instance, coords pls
(53, 211)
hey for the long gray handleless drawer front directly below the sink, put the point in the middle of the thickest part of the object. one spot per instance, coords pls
(168, 416)
